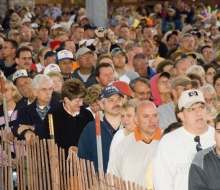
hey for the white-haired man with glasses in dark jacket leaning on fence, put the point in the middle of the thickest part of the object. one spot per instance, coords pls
(33, 119)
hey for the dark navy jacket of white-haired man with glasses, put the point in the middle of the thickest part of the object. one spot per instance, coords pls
(29, 116)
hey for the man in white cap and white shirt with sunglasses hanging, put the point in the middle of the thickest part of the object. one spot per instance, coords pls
(178, 148)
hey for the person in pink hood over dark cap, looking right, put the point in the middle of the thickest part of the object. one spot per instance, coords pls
(160, 87)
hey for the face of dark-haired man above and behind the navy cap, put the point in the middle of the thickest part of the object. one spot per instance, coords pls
(106, 76)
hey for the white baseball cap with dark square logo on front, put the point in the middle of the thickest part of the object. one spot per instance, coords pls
(190, 97)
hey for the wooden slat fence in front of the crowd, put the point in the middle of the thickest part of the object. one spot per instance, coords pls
(41, 165)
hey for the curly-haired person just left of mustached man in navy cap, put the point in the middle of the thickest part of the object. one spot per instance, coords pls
(92, 99)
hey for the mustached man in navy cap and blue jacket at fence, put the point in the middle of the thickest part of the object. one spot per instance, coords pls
(111, 102)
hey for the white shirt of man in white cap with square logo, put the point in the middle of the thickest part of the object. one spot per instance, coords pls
(174, 156)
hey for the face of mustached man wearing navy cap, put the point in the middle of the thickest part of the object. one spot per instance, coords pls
(112, 105)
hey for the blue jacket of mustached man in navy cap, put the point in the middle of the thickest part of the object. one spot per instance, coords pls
(87, 147)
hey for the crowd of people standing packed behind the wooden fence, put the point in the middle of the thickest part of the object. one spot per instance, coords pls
(152, 75)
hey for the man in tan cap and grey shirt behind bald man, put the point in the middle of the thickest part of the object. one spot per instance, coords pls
(166, 111)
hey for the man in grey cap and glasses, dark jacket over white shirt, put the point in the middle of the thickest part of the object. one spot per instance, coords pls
(86, 70)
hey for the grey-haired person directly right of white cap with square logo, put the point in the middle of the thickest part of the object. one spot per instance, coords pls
(209, 94)
